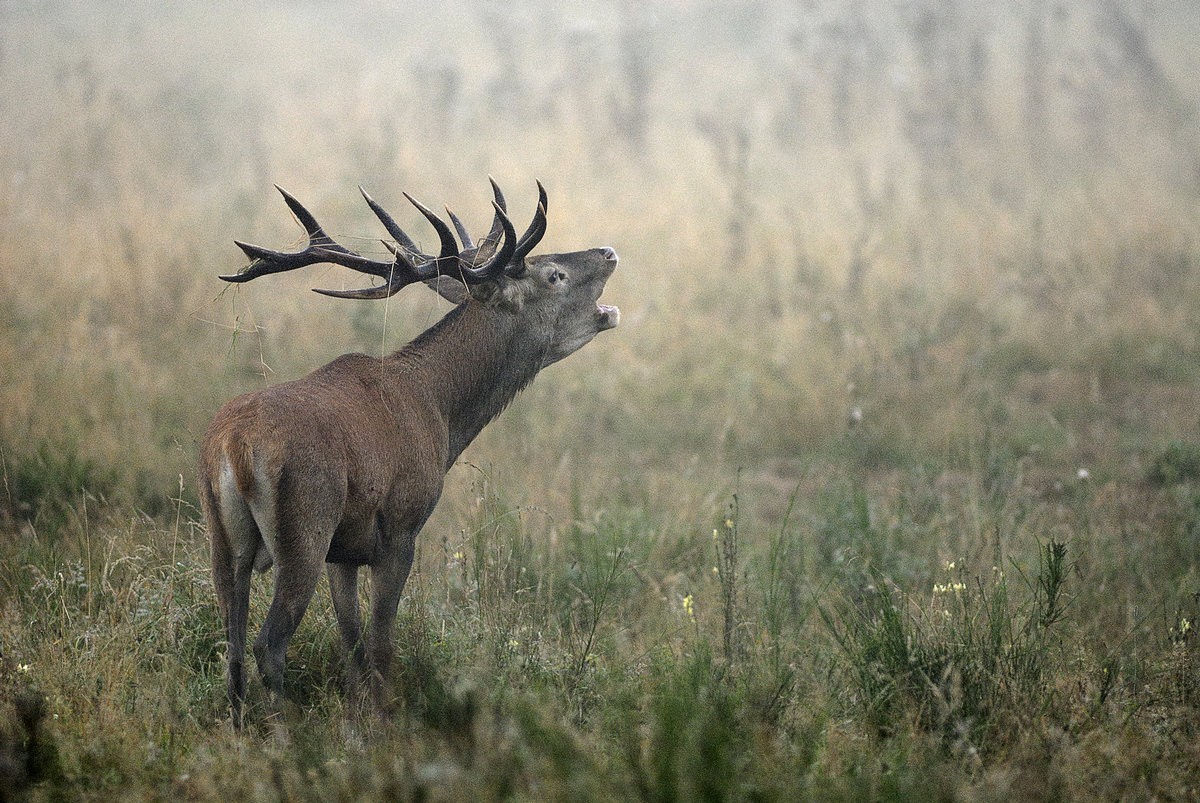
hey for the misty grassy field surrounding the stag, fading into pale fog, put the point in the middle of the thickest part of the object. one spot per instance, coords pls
(887, 487)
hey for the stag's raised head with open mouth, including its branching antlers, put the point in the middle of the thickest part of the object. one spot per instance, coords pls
(556, 296)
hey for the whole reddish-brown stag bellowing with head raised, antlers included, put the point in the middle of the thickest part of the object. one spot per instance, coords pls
(343, 468)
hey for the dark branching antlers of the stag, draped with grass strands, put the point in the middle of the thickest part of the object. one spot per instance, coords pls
(500, 254)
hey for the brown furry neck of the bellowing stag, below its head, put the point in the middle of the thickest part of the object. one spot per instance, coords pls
(472, 363)
